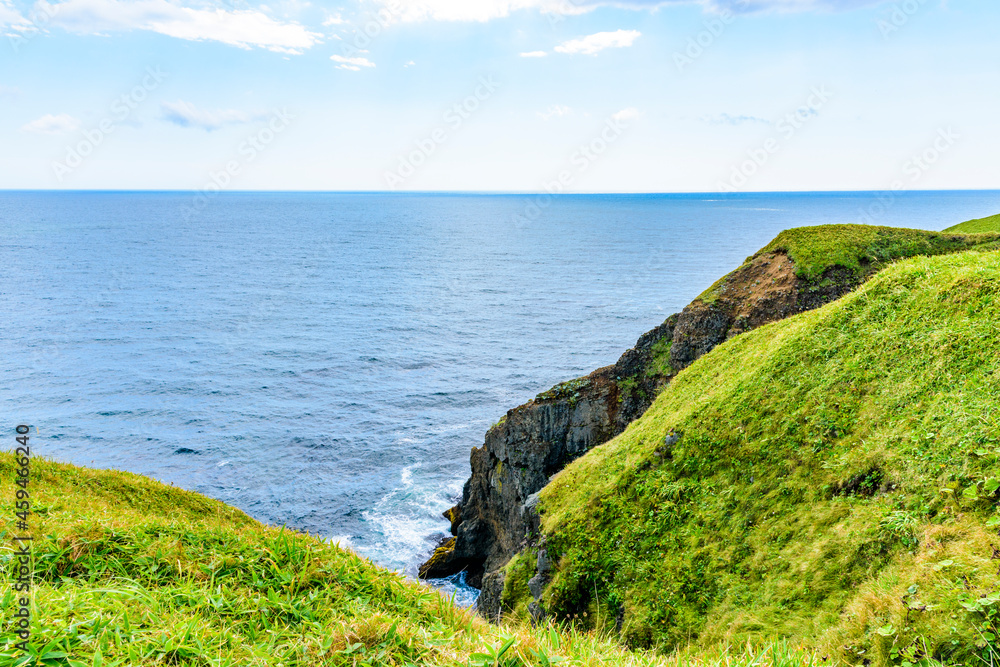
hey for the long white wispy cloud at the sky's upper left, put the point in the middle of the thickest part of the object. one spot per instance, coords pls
(241, 28)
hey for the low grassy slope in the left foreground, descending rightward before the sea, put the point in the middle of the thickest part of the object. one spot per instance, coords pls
(133, 572)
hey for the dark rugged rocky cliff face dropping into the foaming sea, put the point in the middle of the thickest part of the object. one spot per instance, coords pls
(537, 439)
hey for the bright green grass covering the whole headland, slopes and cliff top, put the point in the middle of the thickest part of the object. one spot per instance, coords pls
(821, 490)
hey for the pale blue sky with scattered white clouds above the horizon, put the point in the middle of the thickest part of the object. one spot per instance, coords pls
(500, 95)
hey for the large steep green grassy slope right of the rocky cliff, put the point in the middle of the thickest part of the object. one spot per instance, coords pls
(834, 483)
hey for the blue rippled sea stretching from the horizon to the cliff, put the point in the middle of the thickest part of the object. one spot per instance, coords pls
(327, 361)
